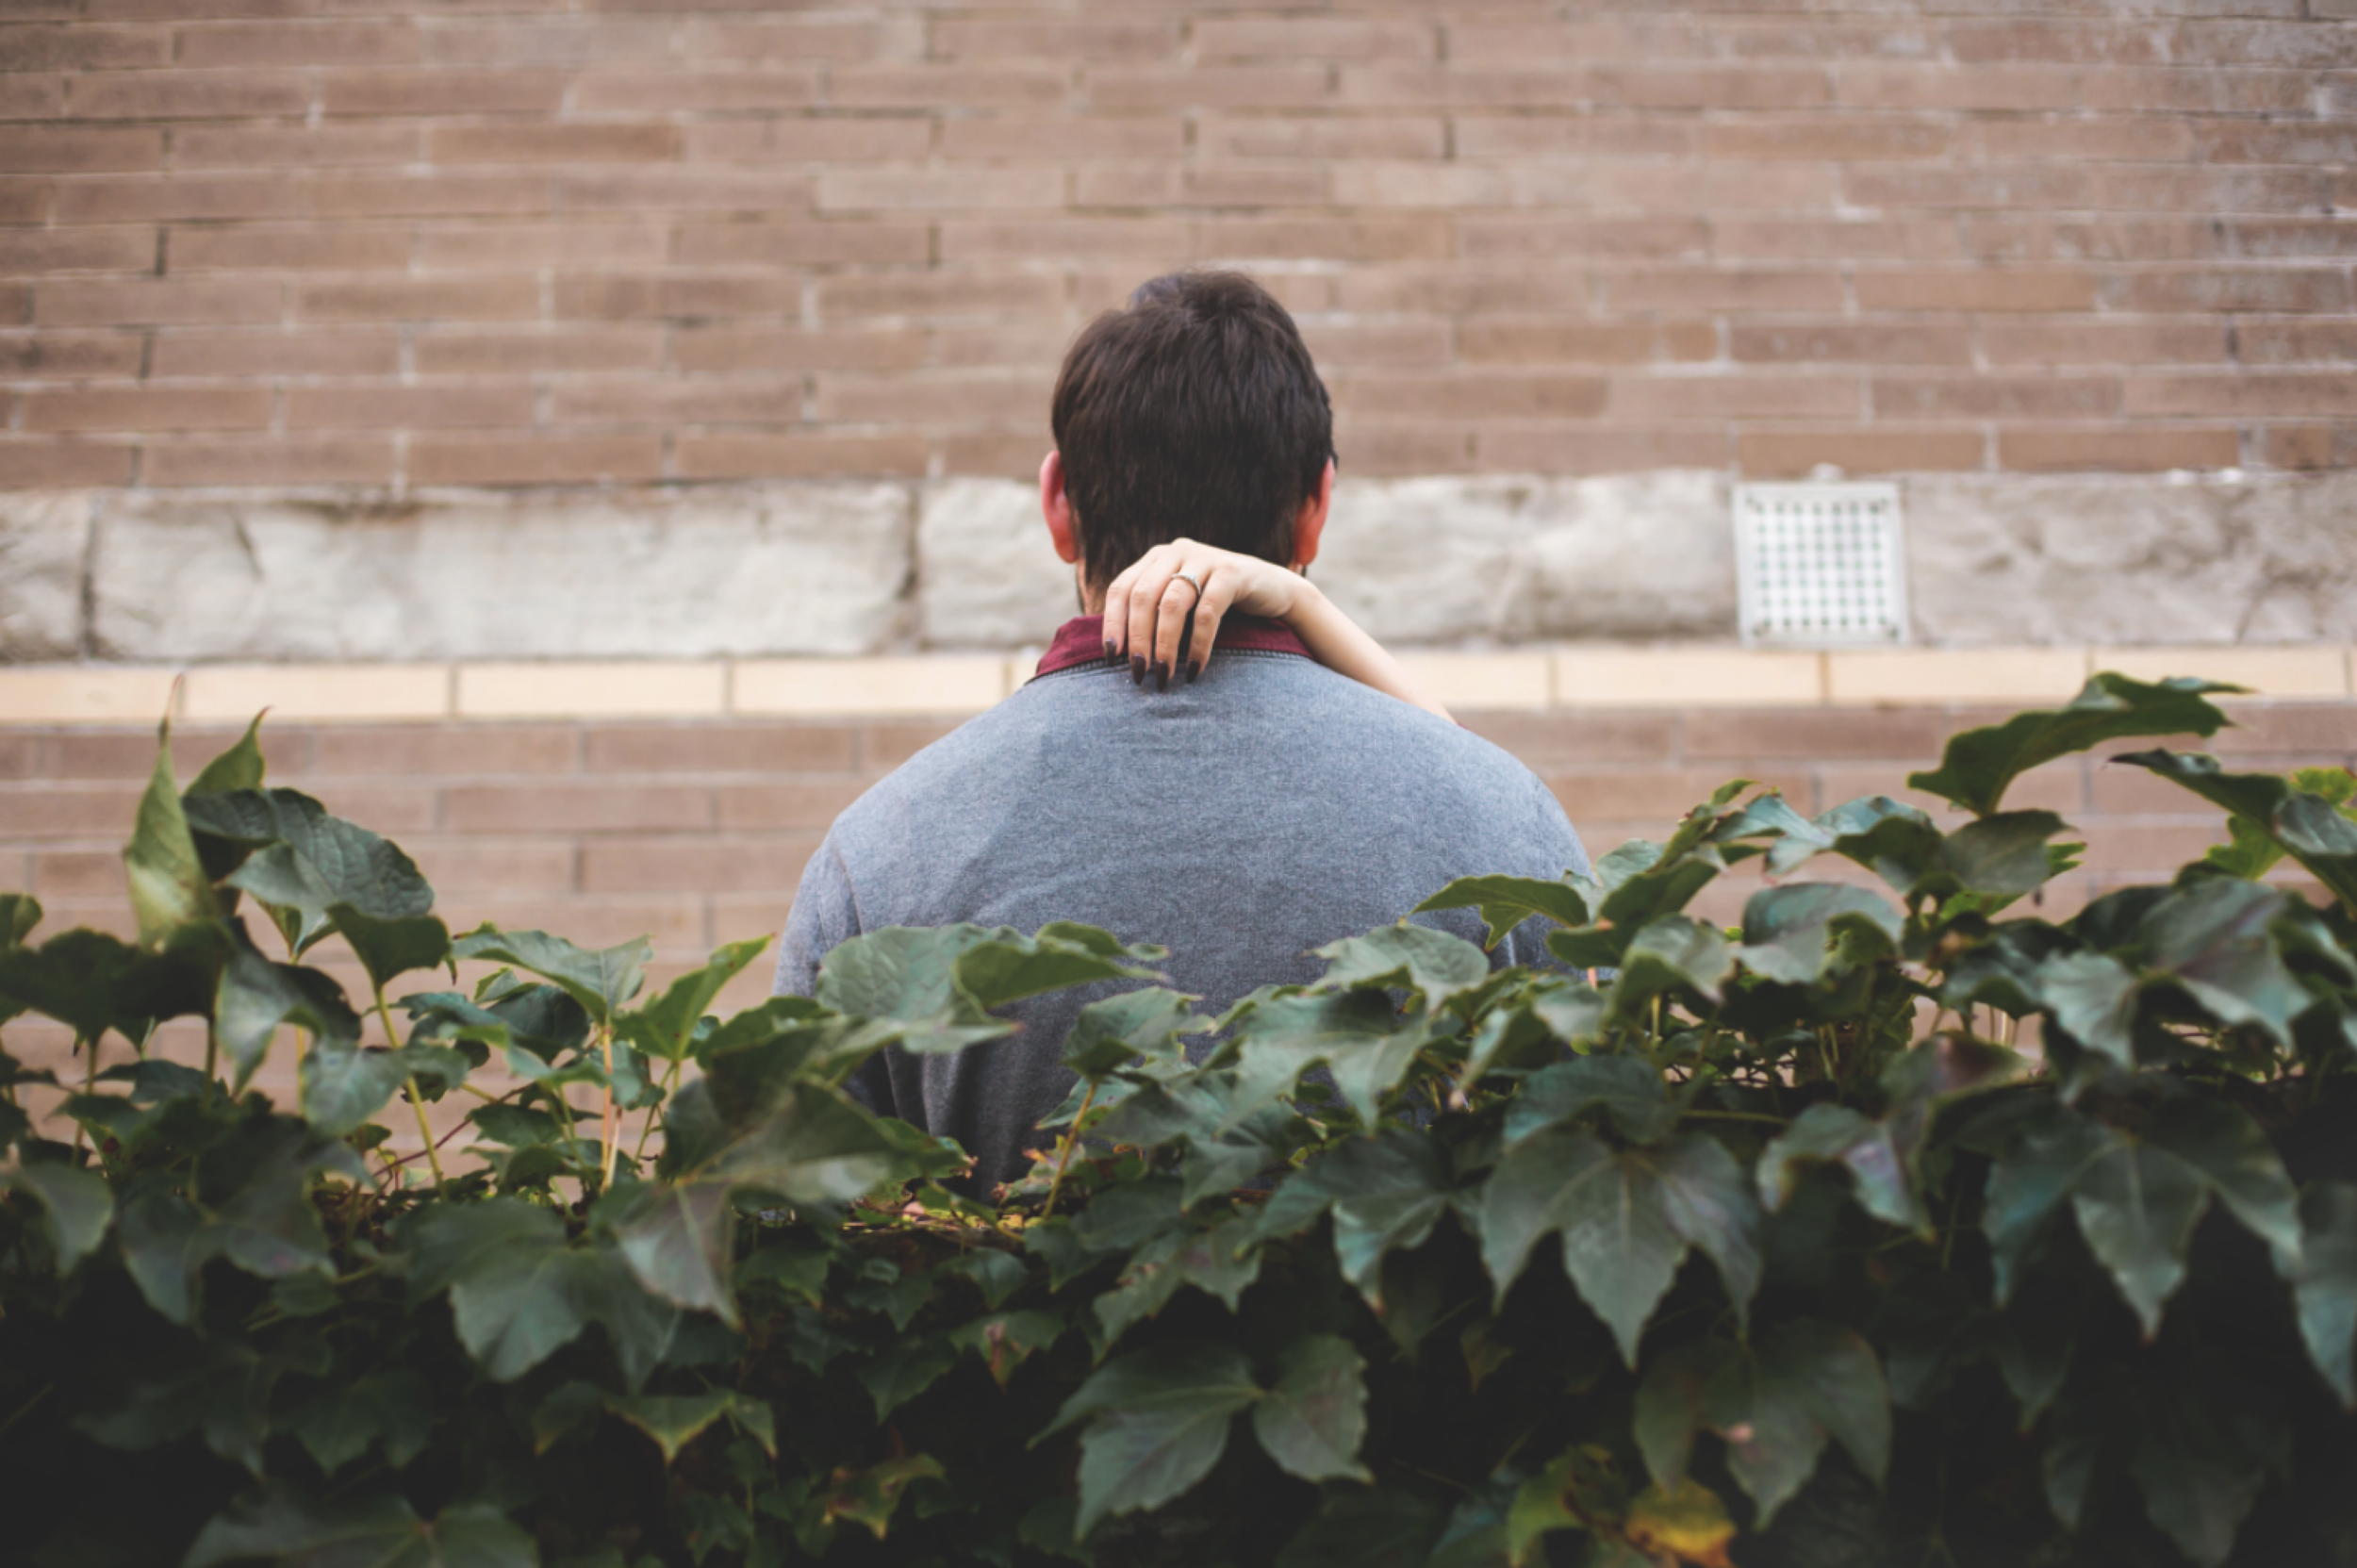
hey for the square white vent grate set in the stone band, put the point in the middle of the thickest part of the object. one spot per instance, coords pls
(1821, 565)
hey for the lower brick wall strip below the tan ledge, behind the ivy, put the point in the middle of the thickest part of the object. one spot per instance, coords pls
(696, 834)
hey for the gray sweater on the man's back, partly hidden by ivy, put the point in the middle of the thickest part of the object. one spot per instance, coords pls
(1241, 822)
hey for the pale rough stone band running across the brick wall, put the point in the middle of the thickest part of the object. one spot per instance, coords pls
(861, 569)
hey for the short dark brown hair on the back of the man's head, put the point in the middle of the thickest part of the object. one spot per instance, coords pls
(1191, 414)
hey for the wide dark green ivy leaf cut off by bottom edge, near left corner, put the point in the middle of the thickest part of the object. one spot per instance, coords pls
(364, 1534)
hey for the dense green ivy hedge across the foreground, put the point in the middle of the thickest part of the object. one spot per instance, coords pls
(1712, 1246)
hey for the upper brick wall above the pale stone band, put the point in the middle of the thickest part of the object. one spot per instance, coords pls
(548, 242)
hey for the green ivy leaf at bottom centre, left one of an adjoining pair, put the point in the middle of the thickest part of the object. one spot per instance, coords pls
(1158, 1423)
